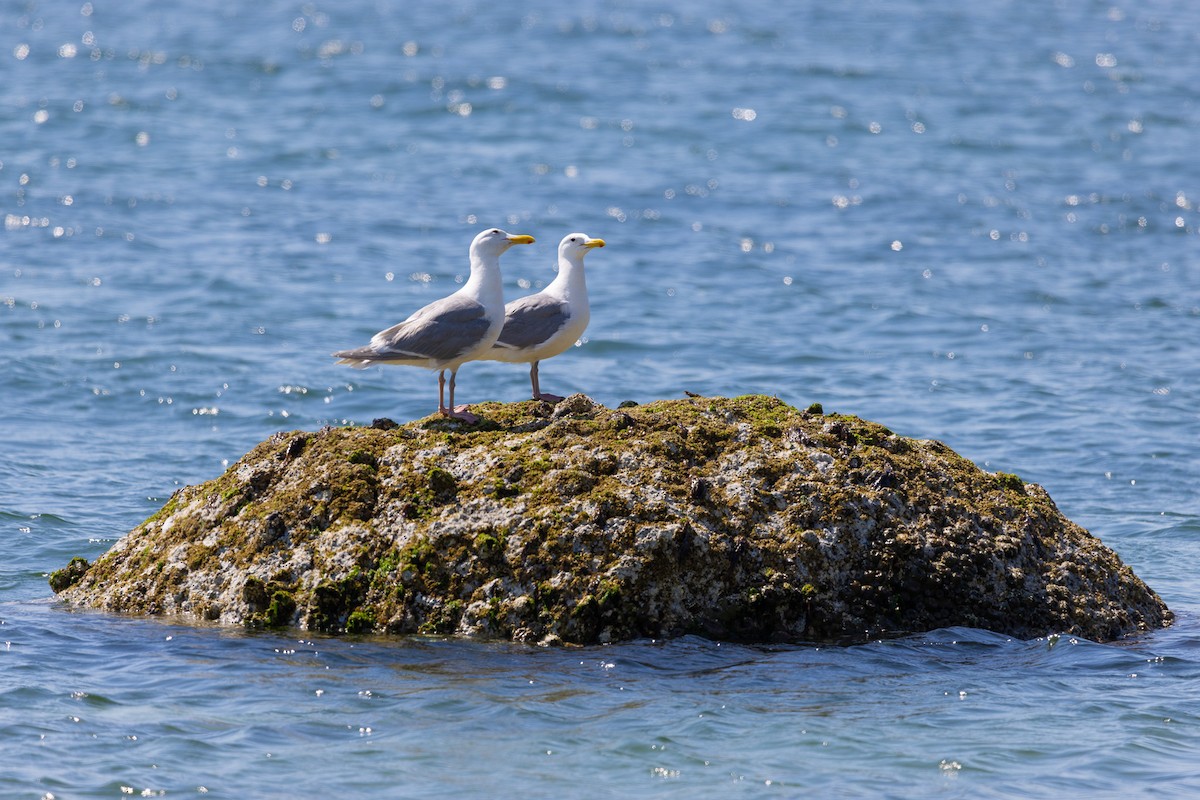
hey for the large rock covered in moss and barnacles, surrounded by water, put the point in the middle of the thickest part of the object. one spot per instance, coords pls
(731, 519)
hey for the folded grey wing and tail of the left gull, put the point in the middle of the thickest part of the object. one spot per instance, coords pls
(443, 330)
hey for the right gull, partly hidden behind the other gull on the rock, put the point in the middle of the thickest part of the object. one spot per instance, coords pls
(545, 324)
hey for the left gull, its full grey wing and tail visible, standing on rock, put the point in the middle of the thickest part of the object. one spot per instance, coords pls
(451, 332)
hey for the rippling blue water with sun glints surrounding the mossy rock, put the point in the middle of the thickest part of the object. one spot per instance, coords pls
(974, 222)
